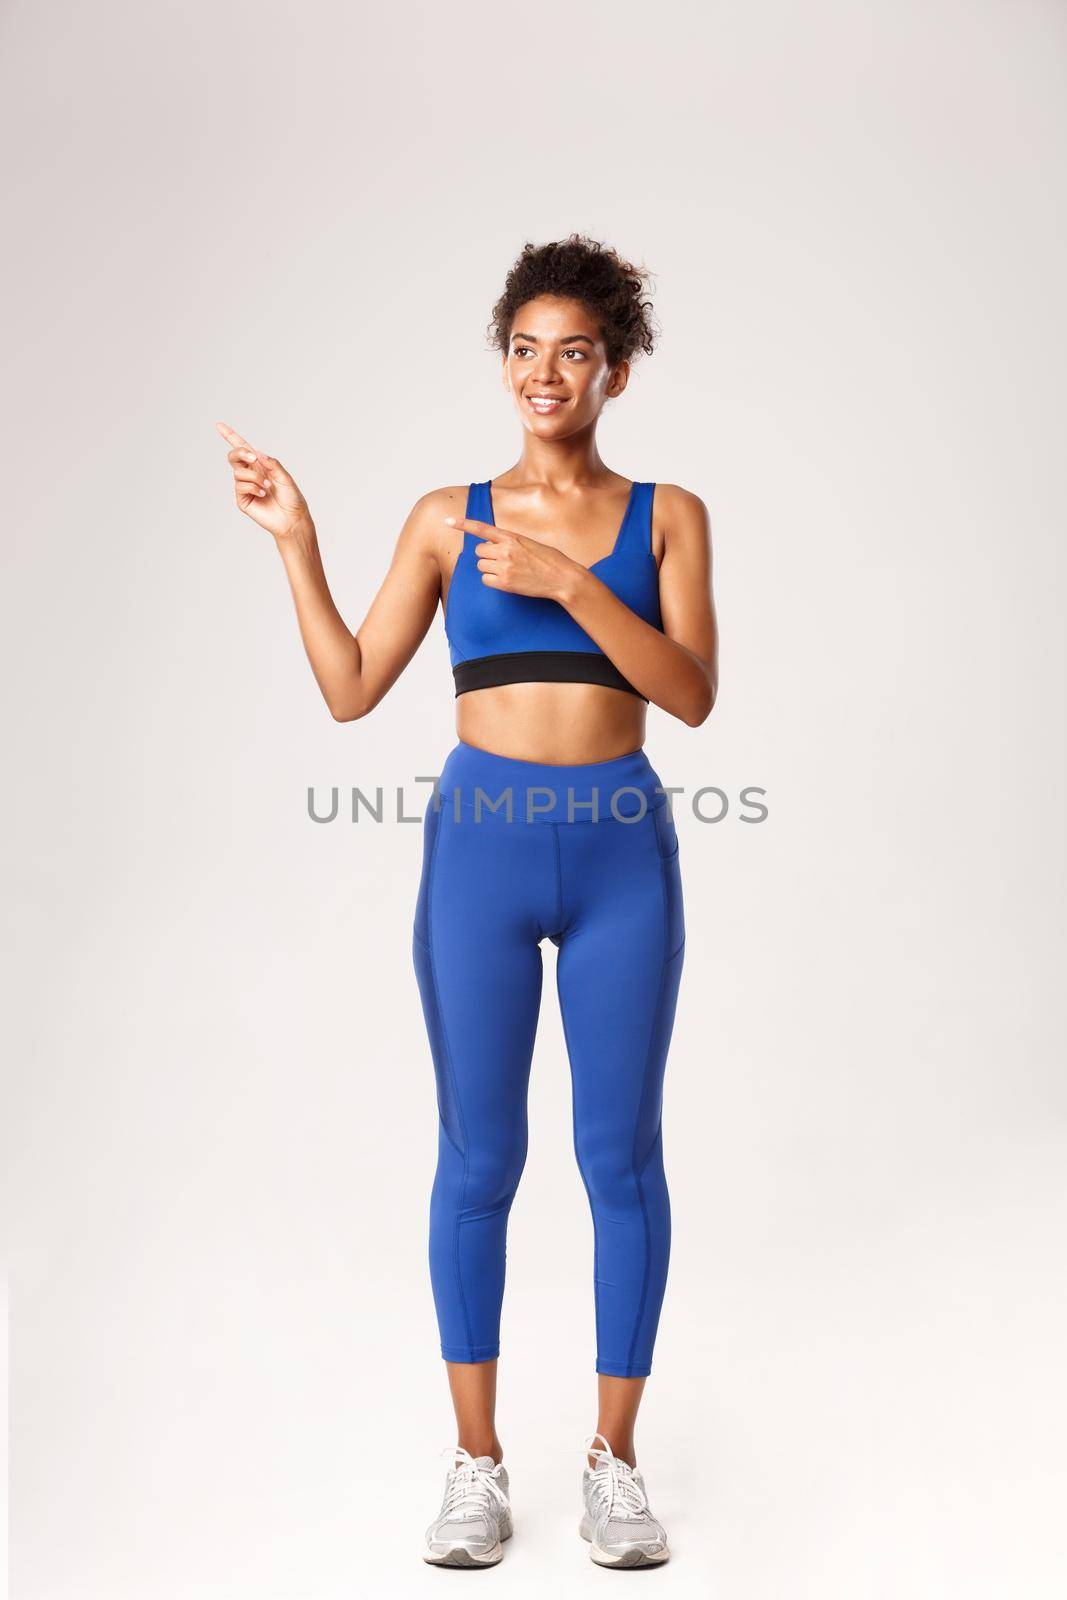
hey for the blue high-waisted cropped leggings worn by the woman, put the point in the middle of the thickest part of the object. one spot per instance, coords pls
(596, 871)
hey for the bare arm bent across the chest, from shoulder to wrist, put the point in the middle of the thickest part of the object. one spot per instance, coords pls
(679, 668)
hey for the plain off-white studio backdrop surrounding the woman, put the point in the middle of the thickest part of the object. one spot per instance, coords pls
(218, 1108)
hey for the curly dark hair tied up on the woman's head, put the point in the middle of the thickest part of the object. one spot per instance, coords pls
(583, 270)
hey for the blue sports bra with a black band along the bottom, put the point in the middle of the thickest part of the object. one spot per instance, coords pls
(498, 638)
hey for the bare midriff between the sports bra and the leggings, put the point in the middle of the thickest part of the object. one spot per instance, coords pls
(557, 724)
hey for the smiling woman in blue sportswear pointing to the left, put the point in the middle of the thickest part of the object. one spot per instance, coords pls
(572, 599)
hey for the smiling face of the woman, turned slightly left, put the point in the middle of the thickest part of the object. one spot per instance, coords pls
(557, 367)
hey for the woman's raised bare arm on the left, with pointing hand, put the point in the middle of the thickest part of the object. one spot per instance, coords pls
(354, 671)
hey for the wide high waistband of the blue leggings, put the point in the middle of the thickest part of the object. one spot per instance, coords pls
(626, 786)
